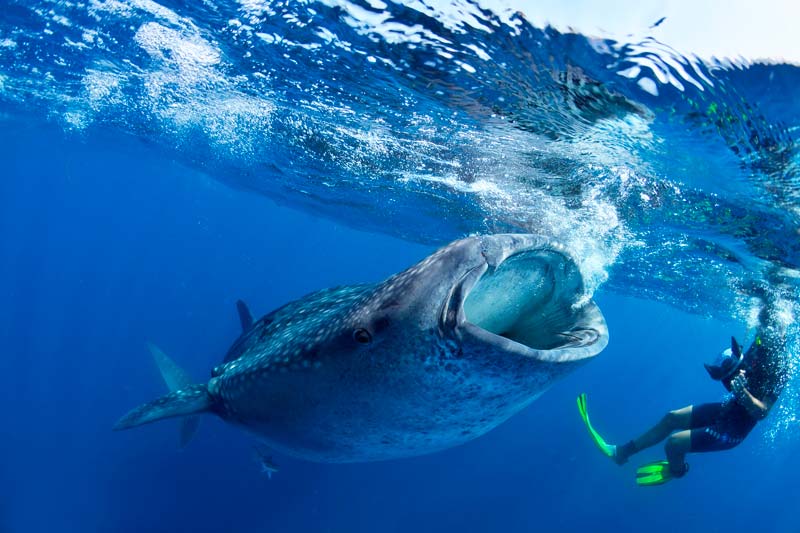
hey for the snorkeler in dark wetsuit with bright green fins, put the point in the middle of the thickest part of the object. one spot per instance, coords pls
(755, 379)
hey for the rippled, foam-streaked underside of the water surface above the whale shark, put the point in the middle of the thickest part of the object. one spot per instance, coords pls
(669, 177)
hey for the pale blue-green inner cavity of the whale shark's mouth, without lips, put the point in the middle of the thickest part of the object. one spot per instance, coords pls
(529, 299)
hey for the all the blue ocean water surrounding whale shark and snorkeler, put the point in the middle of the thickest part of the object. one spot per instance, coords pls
(161, 161)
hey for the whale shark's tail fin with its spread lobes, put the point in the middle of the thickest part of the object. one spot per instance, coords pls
(184, 399)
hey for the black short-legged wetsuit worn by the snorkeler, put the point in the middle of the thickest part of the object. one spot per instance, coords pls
(723, 425)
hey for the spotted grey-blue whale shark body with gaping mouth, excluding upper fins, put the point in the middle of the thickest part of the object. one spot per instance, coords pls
(428, 359)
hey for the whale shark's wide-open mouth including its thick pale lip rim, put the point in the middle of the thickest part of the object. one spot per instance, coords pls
(530, 303)
